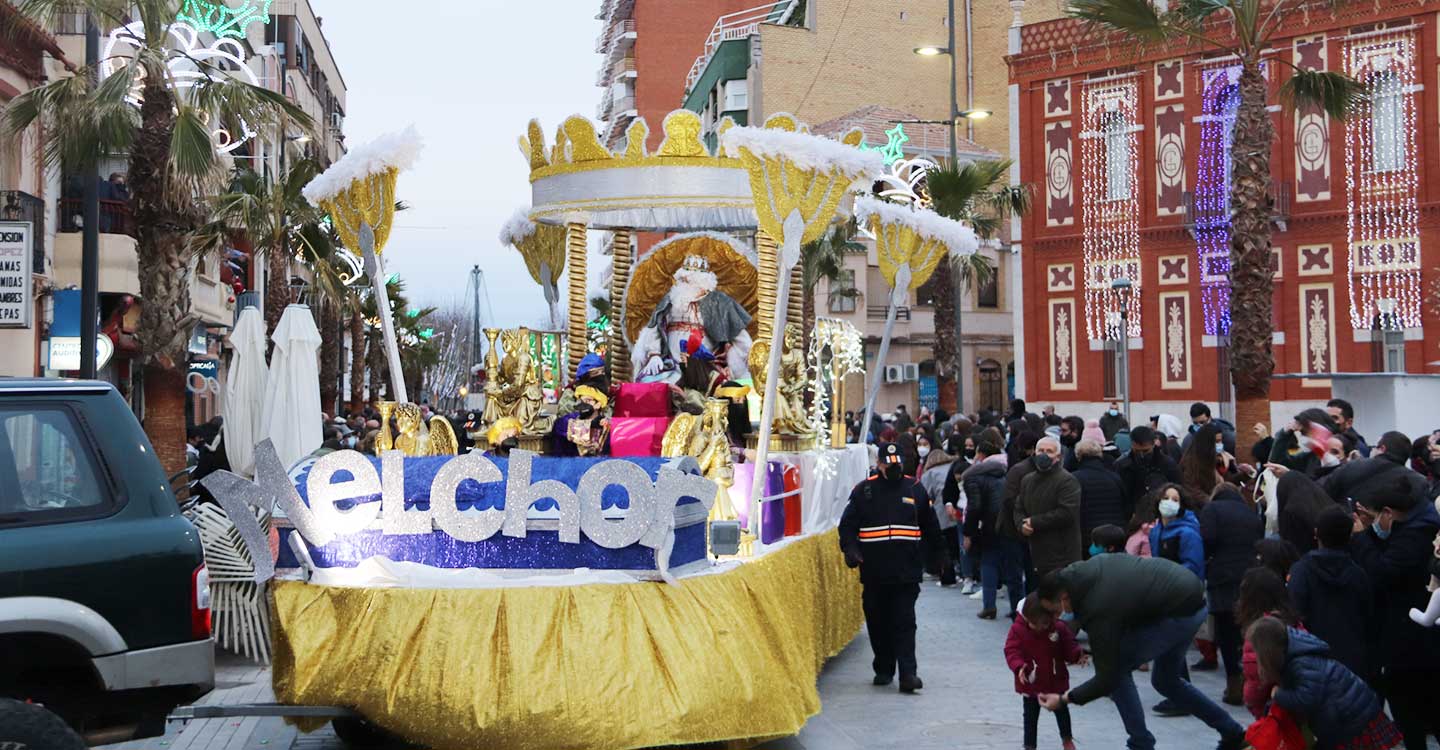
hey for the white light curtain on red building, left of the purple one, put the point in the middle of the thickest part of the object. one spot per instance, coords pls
(1111, 208)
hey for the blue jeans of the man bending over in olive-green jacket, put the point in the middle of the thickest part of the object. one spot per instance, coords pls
(1166, 644)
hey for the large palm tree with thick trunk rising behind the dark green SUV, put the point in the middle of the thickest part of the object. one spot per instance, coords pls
(172, 161)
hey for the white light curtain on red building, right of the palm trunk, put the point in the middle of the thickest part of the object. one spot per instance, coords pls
(1383, 182)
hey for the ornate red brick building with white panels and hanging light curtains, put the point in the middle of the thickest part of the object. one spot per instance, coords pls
(1128, 155)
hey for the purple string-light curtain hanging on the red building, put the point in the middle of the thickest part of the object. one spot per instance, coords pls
(1220, 100)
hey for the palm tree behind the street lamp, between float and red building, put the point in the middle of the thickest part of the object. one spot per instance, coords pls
(978, 195)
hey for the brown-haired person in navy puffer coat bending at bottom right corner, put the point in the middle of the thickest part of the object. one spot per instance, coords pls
(1338, 708)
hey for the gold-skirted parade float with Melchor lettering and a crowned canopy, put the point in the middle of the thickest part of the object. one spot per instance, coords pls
(616, 569)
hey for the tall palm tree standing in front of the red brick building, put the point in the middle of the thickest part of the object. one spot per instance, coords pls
(1242, 28)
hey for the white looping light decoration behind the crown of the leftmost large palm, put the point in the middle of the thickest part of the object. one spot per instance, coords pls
(189, 64)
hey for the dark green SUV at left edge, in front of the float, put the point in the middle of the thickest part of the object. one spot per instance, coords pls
(104, 594)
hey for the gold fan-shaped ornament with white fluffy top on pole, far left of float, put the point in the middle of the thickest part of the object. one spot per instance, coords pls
(358, 192)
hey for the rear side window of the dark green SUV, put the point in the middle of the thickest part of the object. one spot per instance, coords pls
(48, 471)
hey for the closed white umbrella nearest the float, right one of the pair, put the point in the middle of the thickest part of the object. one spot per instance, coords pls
(293, 392)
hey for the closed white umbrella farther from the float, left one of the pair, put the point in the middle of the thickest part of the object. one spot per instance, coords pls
(246, 392)
